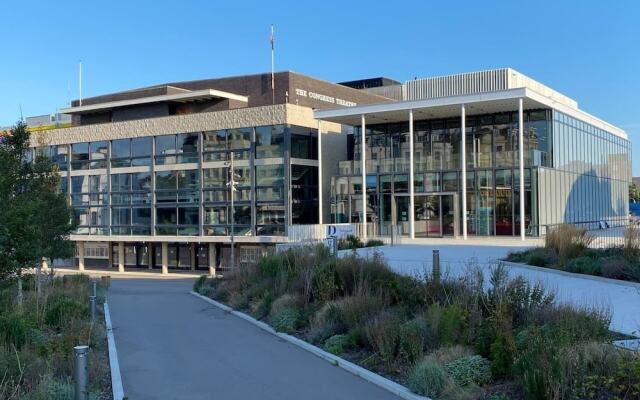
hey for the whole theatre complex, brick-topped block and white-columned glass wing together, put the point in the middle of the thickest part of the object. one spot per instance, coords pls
(491, 153)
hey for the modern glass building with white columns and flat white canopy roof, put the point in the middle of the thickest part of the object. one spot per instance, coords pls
(491, 153)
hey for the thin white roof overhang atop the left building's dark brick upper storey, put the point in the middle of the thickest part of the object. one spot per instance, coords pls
(196, 95)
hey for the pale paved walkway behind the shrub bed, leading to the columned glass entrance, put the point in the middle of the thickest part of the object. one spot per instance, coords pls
(621, 298)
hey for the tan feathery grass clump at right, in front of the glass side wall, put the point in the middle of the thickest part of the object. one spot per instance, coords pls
(567, 241)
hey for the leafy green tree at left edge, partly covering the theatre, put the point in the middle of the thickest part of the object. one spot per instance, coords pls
(35, 218)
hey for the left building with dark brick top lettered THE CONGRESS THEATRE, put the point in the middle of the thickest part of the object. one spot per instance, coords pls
(147, 170)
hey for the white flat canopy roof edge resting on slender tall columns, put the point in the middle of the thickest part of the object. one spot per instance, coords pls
(449, 107)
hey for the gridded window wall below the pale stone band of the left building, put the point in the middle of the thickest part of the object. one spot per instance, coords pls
(124, 187)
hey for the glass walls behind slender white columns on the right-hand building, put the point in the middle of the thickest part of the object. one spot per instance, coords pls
(554, 144)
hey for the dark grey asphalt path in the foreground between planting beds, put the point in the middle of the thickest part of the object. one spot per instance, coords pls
(173, 345)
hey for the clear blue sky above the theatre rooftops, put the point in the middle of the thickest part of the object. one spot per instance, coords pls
(588, 50)
